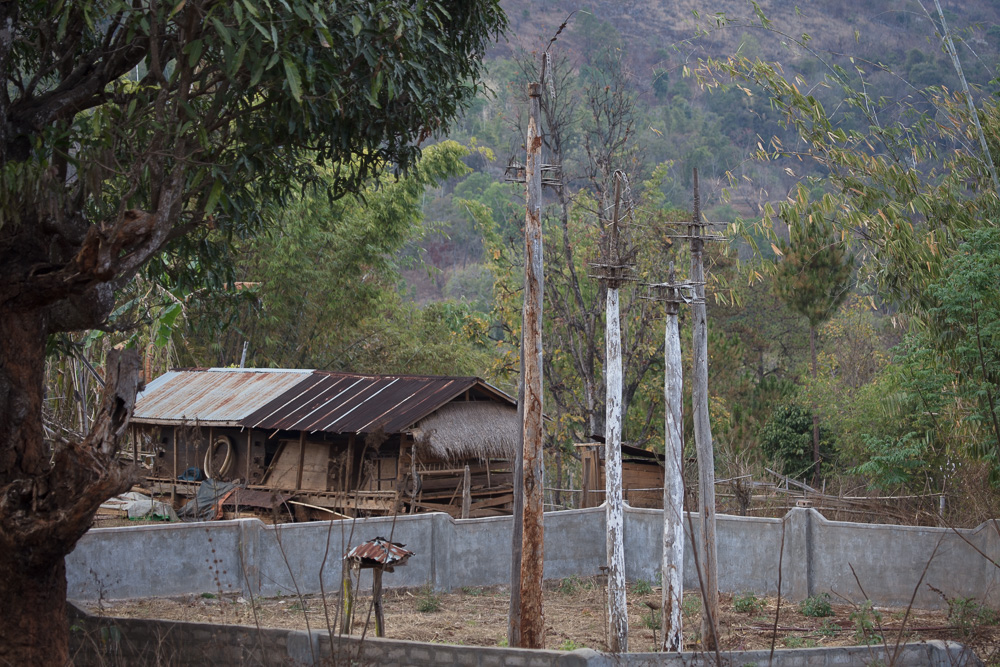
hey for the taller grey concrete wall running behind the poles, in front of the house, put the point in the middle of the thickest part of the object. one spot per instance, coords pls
(816, 555)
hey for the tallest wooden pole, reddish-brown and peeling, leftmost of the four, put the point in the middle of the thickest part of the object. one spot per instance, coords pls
(532, 544)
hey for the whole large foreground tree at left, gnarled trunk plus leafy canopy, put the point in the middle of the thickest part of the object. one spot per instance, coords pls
(130, 129)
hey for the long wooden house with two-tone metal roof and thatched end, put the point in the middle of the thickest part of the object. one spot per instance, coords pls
(332, 443)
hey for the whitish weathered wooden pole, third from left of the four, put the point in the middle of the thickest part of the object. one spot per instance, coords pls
(672, 566)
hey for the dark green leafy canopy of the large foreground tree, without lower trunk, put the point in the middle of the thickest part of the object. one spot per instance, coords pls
(125, 129)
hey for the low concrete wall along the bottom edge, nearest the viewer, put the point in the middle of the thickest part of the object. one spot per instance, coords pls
(106, 640)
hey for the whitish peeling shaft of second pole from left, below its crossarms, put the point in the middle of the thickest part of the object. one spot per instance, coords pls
(614, 506)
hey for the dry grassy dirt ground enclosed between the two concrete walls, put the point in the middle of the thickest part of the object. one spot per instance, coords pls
(575, 618)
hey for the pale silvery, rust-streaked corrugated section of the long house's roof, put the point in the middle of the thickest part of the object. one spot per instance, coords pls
(219, 396)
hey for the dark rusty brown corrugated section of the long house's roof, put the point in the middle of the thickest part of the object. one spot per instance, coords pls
(351, 403)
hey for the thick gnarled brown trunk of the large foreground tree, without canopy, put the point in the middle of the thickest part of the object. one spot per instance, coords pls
(49, 491)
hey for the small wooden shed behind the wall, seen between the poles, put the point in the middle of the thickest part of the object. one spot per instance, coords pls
(642, 475)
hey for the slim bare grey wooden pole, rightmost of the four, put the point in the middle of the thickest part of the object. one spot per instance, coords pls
(703, 434)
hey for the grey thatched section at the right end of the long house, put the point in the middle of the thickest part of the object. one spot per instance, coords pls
(473, 429)
